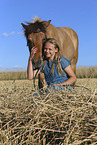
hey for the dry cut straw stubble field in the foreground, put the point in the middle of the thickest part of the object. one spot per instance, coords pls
(58, 118)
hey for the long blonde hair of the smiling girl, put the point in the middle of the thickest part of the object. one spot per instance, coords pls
(57, 56)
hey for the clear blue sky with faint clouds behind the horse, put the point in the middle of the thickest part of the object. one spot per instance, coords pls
(80, 15)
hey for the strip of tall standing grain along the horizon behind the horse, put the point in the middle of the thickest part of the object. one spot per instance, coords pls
(82, 72)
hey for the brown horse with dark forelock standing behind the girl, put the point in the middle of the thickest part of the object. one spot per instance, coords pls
(38, 30)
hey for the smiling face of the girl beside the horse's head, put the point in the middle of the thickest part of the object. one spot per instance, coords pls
(50, 50)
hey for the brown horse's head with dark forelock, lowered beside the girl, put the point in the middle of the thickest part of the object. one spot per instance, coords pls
(35, 32)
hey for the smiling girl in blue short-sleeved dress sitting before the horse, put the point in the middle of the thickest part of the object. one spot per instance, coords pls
(57, 70)
